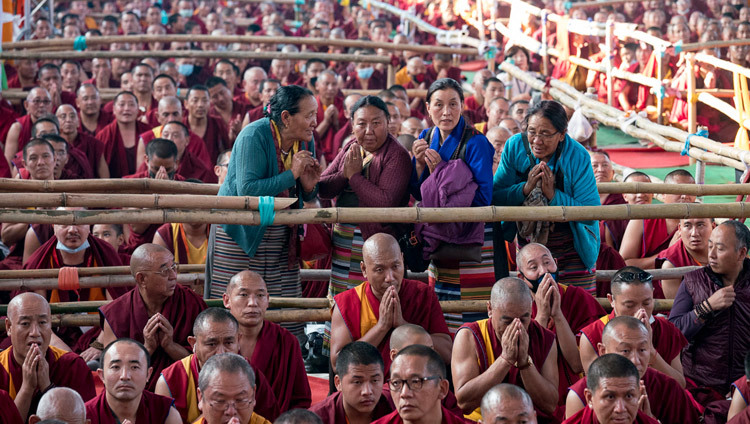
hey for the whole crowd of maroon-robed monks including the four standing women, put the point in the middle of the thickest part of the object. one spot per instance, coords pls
(545, 350)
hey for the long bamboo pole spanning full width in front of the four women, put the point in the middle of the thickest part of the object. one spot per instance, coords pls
(381, 215)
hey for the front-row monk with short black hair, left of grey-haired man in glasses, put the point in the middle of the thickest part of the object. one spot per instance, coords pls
(128, 401)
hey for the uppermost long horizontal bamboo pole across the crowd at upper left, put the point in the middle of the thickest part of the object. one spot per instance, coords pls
(243, 39)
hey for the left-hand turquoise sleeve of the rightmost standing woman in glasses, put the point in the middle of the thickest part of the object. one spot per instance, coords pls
(507, 185)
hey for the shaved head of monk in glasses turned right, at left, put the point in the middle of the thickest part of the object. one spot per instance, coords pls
(155, 273)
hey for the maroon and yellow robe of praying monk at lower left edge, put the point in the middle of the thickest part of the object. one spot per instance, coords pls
(66, 369)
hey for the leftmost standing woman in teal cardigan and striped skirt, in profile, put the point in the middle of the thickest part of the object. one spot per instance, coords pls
(274, 156)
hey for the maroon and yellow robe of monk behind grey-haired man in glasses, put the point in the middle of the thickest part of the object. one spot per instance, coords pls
(179, 383)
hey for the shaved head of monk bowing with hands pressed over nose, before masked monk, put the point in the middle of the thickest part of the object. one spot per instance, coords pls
(510, 304)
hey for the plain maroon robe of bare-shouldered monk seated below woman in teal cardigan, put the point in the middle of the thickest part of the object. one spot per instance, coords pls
(277, 354)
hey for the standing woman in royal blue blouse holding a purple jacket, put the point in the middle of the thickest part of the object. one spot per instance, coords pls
(452, 138)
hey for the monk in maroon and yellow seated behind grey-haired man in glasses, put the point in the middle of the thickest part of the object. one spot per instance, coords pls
(215, 331)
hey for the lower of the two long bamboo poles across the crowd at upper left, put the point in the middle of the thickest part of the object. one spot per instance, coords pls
(200, 54)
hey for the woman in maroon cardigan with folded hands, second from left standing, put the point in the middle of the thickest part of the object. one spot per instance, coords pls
(370, 171)
